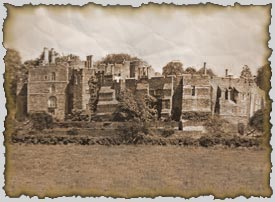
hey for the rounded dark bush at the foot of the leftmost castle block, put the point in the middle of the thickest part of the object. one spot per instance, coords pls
(41, 120)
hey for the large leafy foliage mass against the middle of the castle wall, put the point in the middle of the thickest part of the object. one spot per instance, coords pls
(133, 107)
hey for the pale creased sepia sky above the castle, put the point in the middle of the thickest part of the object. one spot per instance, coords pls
(223, 37)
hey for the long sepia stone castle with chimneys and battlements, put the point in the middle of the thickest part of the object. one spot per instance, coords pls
(60, 87)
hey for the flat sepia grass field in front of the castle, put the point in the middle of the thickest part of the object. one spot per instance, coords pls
(130, 171)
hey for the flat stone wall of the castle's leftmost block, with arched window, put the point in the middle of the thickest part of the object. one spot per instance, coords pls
(44, 83)
